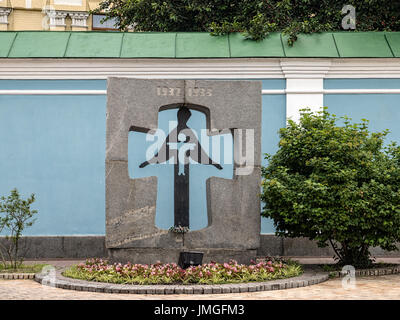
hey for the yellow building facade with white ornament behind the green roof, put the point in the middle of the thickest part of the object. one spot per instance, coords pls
(57, 15)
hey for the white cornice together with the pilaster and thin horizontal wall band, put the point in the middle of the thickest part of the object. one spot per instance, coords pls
(304, 77)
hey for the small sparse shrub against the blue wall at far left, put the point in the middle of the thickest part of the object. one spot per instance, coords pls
(15, 216)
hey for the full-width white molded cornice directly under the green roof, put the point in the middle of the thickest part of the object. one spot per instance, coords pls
(248, 68)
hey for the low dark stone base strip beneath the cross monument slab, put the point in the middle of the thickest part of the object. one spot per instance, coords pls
(152, 255)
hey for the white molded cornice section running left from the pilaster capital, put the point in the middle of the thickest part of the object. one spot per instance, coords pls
(139, 68)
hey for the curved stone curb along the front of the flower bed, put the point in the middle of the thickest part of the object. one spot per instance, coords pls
(59, 281)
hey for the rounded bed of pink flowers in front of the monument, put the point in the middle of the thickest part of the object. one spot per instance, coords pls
(212, 273)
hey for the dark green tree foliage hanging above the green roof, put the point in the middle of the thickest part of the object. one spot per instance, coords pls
(255, 18)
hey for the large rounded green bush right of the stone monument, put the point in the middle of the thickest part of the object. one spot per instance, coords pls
(334, 184)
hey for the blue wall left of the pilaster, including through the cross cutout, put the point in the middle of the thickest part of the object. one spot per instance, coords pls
(54, 146)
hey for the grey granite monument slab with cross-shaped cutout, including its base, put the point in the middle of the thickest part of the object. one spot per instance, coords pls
(233, 205)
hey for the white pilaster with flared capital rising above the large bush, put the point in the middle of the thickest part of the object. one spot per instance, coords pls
(304, 86)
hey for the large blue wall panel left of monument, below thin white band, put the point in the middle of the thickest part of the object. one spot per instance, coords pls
(54, 146)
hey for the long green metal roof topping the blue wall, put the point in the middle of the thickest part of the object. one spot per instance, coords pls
(52, 44)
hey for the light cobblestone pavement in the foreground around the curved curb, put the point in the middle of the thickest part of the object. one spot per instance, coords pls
(375, 288)
